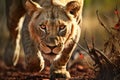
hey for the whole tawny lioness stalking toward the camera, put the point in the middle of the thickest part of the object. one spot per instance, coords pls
(47, 33)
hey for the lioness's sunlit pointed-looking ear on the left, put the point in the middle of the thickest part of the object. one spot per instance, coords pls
(31, 6)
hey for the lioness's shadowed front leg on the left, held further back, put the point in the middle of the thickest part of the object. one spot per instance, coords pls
(33, 58)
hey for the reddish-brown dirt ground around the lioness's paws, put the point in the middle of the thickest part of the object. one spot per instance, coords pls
(78, 72)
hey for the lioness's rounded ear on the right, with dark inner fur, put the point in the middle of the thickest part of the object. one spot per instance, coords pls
(73, 7)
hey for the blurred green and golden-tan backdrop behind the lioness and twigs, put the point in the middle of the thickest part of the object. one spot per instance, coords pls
(90, 22)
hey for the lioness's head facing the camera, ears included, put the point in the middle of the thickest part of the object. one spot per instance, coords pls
(51, 26)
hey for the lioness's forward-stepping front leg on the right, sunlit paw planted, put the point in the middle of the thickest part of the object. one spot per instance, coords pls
(58, 67)
